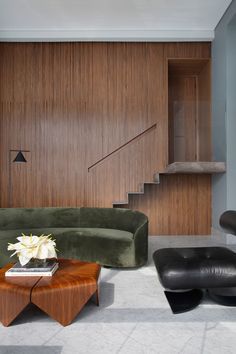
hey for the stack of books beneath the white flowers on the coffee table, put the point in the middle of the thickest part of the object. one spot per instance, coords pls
(47, 269)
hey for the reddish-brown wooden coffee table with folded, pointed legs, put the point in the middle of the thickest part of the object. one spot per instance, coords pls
(61, 296)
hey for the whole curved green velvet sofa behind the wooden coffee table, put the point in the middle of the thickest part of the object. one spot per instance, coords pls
(112, 237)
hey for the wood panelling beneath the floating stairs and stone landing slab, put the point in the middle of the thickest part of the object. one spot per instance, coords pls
(179, 205)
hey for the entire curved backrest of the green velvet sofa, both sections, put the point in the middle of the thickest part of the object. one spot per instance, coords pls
(122, 219)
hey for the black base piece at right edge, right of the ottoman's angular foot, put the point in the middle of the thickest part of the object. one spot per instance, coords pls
(223, 296)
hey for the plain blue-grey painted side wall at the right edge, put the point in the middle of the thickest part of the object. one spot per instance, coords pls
(223, 113)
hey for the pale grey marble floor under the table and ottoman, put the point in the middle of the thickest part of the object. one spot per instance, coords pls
(133, 317)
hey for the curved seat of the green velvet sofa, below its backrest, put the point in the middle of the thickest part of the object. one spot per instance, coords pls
(82, 243)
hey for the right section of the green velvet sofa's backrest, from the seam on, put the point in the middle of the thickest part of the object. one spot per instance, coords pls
(112, 218)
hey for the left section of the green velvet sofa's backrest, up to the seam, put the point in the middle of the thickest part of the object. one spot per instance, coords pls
(17, 218)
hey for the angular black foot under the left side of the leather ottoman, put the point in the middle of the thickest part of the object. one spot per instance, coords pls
(183, 301)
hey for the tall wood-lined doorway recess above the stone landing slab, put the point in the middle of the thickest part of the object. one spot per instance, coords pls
(189, 108)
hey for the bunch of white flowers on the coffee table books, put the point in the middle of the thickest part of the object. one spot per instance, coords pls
(32, 246)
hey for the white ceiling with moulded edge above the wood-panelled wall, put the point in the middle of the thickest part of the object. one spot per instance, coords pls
(110, 20)
